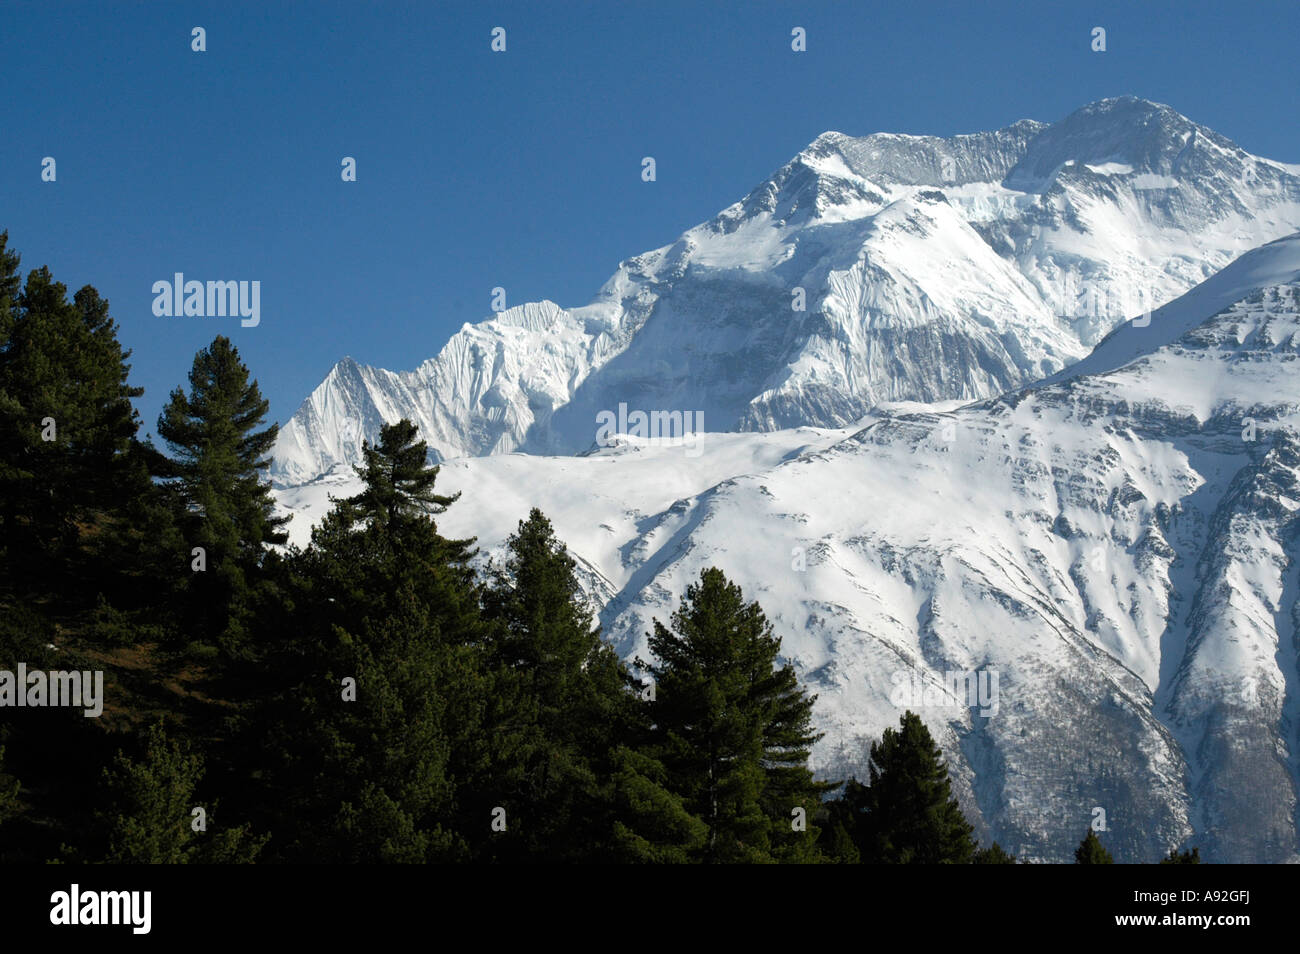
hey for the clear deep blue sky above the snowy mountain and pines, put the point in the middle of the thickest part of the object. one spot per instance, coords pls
(517, 170)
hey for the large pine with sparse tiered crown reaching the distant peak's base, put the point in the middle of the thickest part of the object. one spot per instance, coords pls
(376, 735)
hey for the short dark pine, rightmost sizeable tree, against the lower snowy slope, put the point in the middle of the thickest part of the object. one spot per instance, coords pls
(908, 814)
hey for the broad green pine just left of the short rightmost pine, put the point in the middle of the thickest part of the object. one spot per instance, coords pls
(734, 730)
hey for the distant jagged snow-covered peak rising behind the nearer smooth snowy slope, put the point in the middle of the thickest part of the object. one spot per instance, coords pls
(883, 268)
